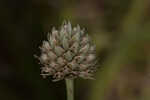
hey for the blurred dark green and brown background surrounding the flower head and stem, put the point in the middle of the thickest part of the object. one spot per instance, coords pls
(119, 28)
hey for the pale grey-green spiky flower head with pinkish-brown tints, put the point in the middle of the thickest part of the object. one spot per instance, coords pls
(68, 53)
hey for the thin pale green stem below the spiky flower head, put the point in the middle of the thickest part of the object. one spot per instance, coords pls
(70, 89)
